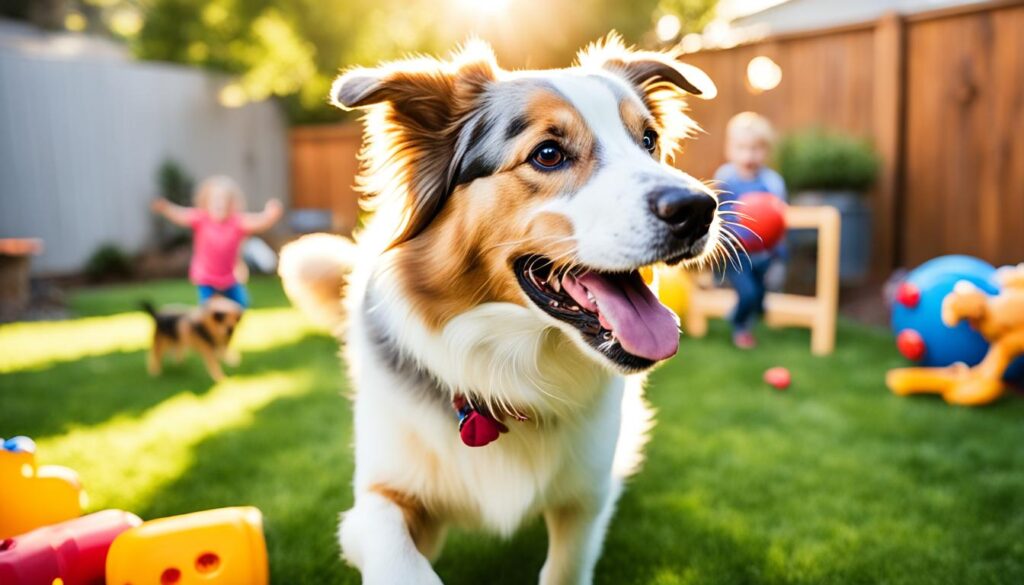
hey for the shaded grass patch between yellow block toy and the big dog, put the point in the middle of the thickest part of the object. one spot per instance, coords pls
(293, 463)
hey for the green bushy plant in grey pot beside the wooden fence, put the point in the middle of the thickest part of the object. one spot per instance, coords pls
(829, 169)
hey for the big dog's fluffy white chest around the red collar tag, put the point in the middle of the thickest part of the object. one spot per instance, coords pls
(408, 433)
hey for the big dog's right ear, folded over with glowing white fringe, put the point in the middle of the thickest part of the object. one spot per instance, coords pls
(649, 71)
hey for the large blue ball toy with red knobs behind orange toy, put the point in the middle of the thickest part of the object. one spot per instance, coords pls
(917, 315)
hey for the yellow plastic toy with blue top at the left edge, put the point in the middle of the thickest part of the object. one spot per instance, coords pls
(33, 496)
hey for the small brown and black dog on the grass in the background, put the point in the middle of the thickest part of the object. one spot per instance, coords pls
(206, 329)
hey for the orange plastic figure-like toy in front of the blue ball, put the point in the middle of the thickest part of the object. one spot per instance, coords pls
(1000, 319)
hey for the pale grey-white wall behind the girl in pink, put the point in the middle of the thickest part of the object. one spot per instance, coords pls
(81, 140)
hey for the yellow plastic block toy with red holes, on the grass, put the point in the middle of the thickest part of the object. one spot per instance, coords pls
(224, 547)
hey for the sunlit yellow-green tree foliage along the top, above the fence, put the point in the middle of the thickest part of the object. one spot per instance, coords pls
(294, 49)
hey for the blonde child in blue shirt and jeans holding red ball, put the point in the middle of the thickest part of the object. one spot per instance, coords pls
(749, 143)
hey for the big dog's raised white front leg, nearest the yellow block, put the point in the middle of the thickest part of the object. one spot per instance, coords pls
(376, 538)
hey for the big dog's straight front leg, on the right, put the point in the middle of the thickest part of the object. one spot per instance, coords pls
(576, 533)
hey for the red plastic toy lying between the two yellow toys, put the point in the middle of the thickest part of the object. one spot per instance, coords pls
(73, 553)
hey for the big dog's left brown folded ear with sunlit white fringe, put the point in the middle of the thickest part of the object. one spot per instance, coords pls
(416, 110)
